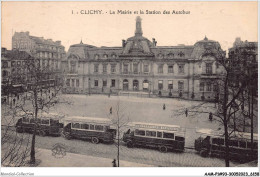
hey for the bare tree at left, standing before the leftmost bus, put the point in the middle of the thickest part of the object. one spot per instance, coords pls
(42, 93)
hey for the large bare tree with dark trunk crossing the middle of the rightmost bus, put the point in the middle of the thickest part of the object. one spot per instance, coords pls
(227, 99)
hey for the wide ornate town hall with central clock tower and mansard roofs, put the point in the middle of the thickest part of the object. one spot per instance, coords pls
(139, 65)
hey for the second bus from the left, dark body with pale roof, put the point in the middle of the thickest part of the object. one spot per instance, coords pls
(92, 128)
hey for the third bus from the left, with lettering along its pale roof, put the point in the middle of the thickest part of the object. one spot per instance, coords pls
(159, 136)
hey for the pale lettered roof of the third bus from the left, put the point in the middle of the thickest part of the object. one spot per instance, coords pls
(154, 126)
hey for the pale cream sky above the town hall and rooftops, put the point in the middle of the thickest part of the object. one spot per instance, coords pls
(219, 21)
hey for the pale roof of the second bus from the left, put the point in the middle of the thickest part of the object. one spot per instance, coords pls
(88, 119)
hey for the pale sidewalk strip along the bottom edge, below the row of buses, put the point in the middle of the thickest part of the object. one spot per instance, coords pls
(79, 160)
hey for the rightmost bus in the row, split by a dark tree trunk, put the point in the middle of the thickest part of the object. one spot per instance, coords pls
(212, 143)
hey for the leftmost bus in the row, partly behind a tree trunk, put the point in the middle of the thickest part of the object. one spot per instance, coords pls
(46, 124)
